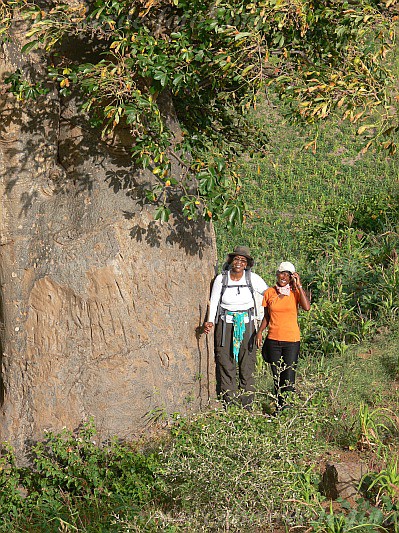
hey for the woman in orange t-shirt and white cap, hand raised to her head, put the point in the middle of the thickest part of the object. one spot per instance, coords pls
(281, 346)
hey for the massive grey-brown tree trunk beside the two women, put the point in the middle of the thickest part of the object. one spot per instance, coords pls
(100, 304)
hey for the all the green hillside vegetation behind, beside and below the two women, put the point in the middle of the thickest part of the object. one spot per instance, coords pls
(334, 214)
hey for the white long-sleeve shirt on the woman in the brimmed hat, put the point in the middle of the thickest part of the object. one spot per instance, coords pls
(235, 297)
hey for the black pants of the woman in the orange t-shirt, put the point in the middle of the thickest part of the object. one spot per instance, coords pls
(283, 358)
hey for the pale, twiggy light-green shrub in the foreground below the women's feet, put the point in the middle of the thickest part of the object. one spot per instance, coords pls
(262, 462)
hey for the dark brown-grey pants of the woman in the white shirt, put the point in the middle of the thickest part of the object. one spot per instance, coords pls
(226, 366)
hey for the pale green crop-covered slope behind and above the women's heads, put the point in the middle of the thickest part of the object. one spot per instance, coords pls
(288, 187)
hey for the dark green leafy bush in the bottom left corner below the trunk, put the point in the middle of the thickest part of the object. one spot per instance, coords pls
(70, 472)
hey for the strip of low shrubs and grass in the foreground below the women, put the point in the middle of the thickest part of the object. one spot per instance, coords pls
(217, 470)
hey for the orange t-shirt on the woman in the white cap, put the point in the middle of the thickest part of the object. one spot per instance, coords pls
(283, 311)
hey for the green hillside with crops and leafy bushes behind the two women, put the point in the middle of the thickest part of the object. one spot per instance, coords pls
(334, 212)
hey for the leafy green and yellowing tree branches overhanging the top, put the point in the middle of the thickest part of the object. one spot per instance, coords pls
(212, 59)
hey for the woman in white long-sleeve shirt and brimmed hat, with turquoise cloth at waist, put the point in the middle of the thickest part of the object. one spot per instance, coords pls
(232, 310)
